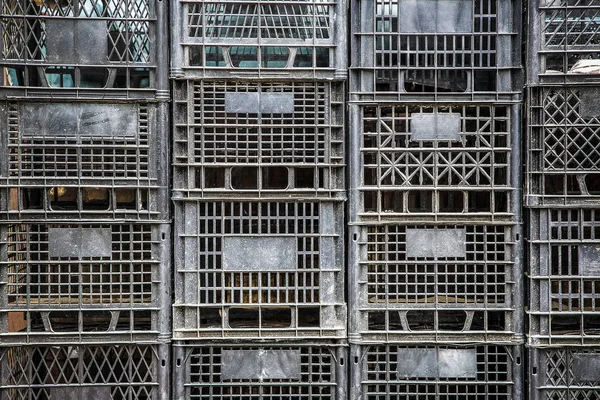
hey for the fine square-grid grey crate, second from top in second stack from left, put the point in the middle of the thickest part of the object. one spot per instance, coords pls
(259, 139)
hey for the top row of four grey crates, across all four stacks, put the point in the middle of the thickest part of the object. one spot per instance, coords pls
(399, 49)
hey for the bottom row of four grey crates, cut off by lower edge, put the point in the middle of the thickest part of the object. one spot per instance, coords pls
(371, 372)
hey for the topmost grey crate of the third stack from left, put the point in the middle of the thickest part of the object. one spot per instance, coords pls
(424, 50)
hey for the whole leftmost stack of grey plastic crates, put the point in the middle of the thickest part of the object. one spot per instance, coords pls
(84, 210)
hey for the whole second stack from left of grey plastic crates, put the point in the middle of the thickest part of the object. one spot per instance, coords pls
(258, 152)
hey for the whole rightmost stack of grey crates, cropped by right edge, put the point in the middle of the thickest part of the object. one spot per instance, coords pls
(563, 198)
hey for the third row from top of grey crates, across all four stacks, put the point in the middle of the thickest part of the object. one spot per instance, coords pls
(245, 269)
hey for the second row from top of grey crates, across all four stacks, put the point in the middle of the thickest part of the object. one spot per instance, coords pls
(255, 139)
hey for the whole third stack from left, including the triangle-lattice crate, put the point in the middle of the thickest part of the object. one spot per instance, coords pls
(435, 299)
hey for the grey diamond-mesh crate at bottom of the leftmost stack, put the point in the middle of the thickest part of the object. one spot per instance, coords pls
(72, 372)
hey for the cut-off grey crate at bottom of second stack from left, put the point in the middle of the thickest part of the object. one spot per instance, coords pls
(259, 371)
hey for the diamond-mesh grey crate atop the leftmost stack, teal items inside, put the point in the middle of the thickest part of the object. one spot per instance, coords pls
(84, 49)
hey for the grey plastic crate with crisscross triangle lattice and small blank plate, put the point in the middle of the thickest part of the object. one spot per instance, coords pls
(435, 162)
